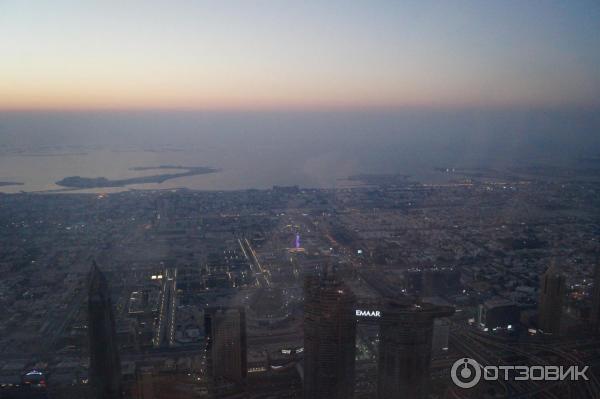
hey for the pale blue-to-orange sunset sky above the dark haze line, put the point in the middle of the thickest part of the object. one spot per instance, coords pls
(298, 54)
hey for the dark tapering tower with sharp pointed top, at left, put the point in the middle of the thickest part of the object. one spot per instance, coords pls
(105, 366)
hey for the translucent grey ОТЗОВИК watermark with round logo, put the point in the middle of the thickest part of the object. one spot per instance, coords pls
(467, 372)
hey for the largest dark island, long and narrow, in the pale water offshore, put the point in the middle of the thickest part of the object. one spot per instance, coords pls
(100, 182)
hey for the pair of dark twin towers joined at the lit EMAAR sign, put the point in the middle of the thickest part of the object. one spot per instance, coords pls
(331, 313)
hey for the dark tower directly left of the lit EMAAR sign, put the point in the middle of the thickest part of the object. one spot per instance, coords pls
(329, 338)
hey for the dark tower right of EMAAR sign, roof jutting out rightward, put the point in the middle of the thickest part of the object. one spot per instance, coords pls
(405, 335)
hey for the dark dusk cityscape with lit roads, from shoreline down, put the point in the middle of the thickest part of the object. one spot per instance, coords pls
(369, 291)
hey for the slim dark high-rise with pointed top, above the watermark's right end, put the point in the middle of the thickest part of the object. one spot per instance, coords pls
(552, 291)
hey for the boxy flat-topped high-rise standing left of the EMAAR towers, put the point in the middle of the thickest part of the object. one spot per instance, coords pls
(225, 330)
